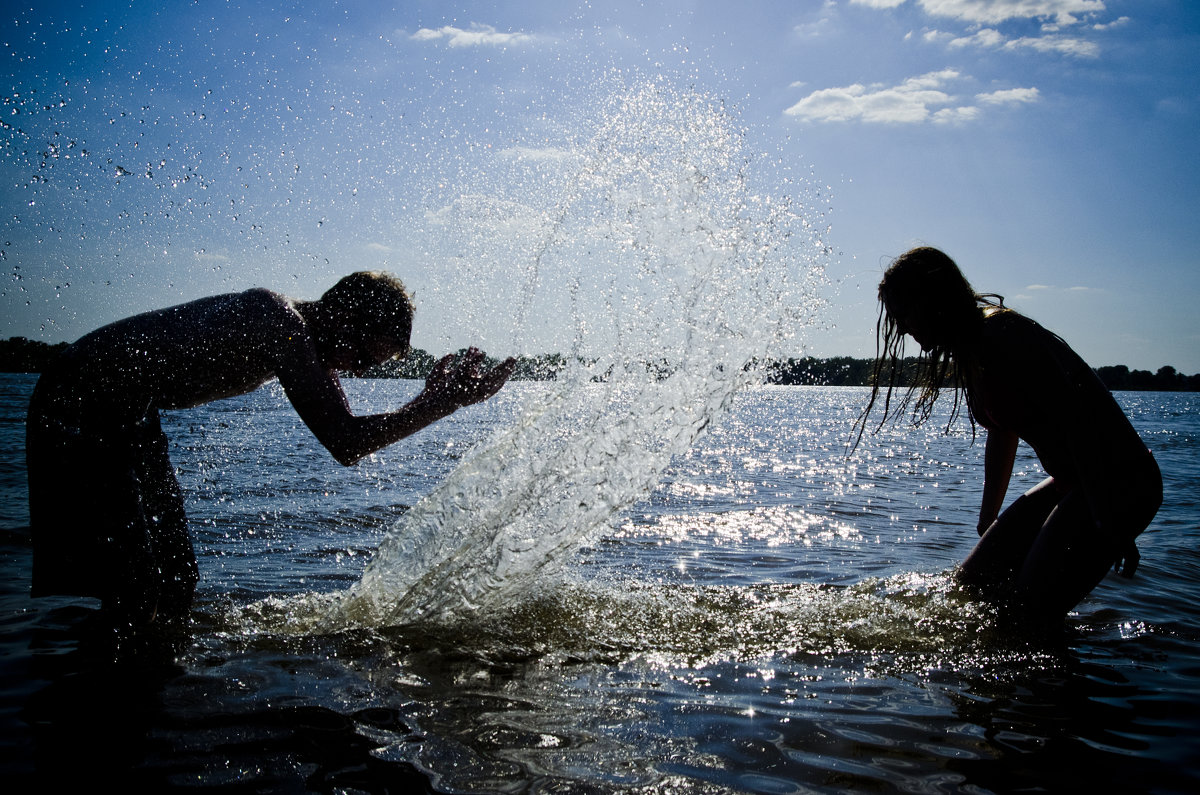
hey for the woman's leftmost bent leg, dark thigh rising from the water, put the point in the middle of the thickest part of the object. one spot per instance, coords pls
(994, 564)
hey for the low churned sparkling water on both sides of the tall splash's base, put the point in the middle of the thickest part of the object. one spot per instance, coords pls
(904, 624)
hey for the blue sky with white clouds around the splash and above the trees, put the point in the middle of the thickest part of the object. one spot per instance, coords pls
(157, 153)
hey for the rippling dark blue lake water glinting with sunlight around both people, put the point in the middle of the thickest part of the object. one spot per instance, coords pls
(771, 618)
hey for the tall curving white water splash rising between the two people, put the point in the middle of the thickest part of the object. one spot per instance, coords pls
(664, 276)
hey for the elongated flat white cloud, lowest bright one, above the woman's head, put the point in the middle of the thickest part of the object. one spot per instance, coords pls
(916, 100)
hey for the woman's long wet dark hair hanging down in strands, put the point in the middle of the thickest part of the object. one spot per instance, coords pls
(927, 282)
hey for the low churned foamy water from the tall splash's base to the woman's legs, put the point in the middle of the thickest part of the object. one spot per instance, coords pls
(915, 621)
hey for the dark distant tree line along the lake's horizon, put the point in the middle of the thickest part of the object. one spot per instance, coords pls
(19, 355)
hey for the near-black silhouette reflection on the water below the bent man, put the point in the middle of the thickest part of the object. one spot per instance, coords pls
(83, 707)
